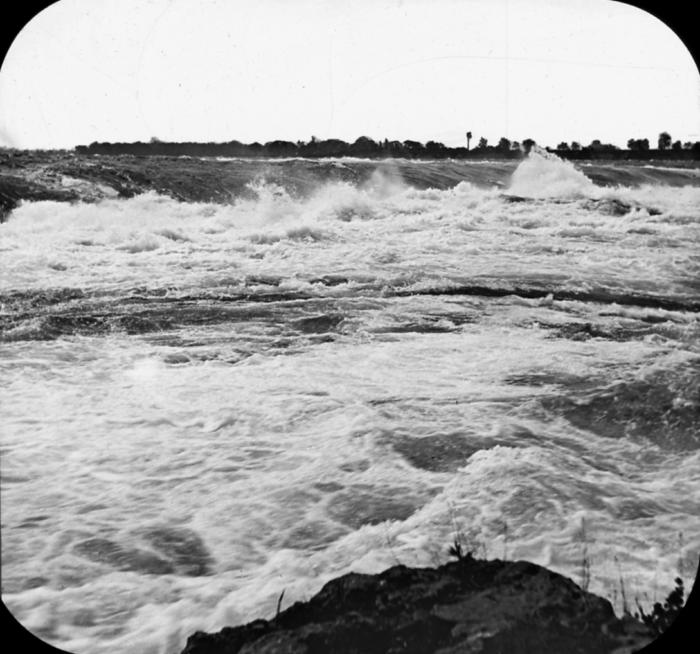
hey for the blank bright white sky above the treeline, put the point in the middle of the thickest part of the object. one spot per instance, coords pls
(258, 70)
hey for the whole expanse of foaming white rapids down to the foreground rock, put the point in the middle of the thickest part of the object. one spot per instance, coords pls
(206, 404)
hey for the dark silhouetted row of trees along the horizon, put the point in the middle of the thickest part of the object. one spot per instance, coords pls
(364, 147)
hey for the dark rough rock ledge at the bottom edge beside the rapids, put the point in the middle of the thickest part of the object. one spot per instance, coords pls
(468, 606)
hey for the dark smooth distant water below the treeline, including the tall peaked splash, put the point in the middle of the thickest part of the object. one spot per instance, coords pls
(75, 179)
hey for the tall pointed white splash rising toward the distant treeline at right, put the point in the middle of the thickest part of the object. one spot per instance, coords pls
(544, 175)
